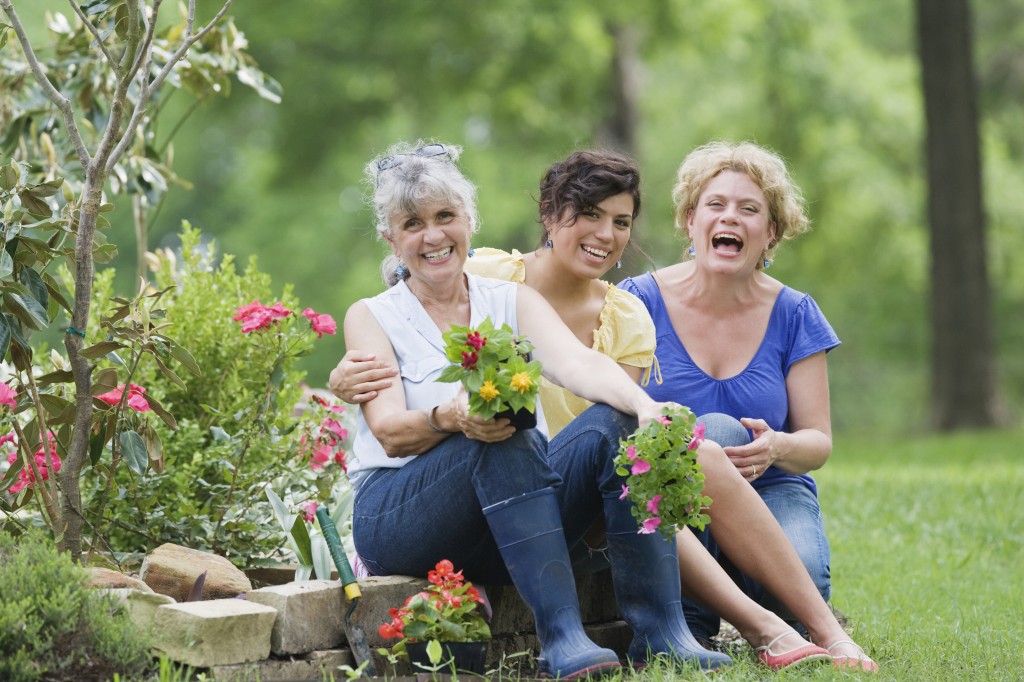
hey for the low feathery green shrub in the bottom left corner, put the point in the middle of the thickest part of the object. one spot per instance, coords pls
(55, 628)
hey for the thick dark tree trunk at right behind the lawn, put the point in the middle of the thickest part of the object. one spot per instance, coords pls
(964, 379)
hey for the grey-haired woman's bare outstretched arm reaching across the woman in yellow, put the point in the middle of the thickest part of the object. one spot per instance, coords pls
(570, 364)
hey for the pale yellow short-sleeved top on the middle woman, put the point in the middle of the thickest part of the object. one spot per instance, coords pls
(625, 333)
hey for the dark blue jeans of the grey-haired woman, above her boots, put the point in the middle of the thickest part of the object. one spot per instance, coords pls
(407, 520)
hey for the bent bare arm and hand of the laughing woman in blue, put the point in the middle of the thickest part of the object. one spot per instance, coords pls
(805, 449)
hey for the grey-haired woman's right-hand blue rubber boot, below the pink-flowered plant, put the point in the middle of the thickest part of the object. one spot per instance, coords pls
(646, 575)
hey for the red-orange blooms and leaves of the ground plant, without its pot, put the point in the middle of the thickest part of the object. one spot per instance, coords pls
(446, 612)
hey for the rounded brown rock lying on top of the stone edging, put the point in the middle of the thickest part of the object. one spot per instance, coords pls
(173, 570)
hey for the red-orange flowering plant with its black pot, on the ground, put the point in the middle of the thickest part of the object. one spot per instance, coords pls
(442, 625)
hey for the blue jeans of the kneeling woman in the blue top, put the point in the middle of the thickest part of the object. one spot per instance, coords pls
(797, 510)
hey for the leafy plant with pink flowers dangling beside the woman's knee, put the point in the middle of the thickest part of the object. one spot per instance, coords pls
(663, 477)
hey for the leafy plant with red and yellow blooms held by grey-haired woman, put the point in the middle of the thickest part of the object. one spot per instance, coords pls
(494, 366)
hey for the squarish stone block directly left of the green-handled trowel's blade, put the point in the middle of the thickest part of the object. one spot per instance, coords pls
(311, 616)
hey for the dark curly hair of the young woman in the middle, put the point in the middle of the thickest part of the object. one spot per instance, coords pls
(585, 180)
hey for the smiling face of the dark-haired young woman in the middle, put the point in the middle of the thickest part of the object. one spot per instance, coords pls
(593, 243)
